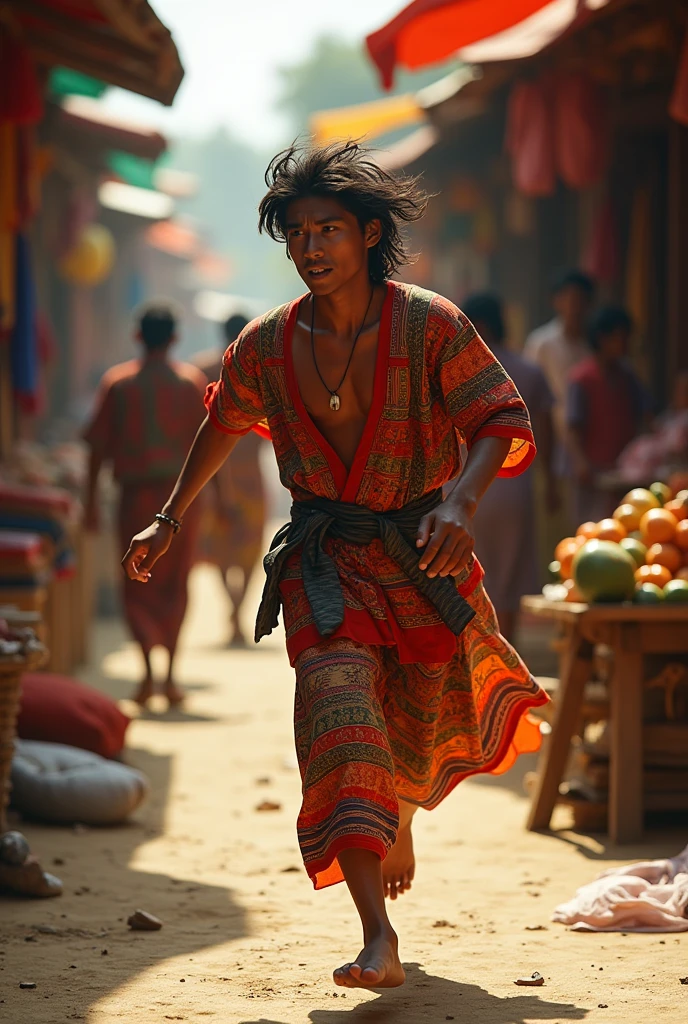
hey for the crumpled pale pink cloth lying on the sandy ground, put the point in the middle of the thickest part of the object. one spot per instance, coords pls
(651, 897)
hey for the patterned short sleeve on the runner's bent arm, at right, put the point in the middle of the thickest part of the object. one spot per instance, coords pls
(481, 397)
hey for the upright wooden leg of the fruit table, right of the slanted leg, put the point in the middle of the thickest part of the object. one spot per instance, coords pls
(626, 740)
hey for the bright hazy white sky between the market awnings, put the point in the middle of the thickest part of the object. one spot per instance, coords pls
(231, 51)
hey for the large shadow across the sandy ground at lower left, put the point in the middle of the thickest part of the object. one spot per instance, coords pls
(80, 943)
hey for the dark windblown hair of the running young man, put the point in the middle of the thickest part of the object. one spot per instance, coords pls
(346, 172)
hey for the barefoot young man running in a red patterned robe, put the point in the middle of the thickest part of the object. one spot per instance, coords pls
(376, 395)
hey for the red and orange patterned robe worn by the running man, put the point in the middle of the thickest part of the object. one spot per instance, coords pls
(436, 707)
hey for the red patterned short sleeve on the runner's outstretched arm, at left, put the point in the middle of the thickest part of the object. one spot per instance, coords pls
(235, 403)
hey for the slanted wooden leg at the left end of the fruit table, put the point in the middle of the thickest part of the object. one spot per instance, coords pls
(575, 673)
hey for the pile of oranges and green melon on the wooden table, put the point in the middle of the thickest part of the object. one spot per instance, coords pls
(640, 554)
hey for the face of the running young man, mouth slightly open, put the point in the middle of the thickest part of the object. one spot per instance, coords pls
(327, 243)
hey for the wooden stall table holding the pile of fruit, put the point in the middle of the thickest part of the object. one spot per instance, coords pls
(632, 631)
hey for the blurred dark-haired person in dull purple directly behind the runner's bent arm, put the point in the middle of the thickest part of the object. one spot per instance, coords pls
(508, 551)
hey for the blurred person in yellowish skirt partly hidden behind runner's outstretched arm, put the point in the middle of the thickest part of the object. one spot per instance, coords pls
(232, 533)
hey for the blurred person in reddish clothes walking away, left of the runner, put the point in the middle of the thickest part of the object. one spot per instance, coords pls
(147, 414)
